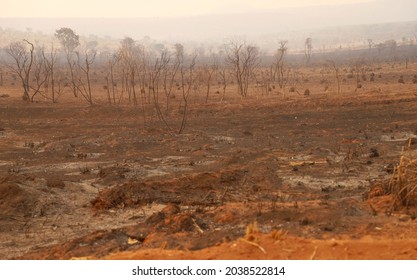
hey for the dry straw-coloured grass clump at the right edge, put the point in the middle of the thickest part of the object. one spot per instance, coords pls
(403, 183)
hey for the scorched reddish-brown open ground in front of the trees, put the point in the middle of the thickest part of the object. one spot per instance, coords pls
(281, 176)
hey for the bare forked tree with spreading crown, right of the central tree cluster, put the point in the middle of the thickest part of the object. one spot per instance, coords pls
(243, 59)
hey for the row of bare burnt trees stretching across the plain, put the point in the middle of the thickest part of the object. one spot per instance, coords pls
(138, 76)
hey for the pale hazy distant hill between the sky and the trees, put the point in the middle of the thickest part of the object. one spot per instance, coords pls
(329, 26)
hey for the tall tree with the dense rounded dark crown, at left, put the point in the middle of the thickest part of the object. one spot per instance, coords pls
(69, 41)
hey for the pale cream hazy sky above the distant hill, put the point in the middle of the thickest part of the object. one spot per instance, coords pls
(147, 8)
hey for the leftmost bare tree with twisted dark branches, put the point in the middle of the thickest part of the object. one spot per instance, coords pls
(22, 63)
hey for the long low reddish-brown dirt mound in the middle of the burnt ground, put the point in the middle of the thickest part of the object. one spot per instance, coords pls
(212, 189)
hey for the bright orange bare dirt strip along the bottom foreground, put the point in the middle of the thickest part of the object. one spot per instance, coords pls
(292, 248)
